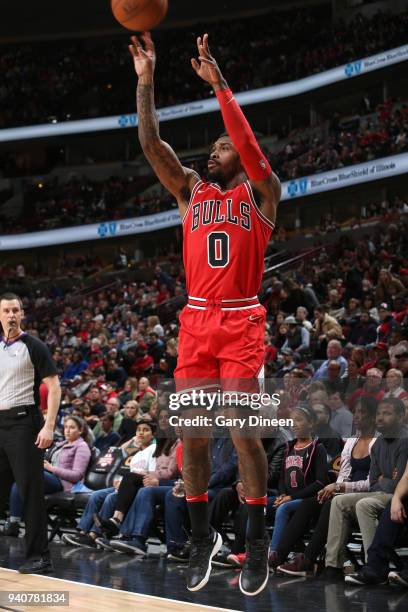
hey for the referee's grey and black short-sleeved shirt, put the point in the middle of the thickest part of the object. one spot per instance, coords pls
(24, 362)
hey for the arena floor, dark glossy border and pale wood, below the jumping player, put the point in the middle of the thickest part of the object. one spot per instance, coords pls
(119, 582)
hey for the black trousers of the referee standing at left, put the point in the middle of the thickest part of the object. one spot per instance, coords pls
(22, 462)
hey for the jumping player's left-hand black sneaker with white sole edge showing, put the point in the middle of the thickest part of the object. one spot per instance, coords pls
(201, 554)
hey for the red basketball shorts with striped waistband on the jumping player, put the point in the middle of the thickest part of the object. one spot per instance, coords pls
(221, 343)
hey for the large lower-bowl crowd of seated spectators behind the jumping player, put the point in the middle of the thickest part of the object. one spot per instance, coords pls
(336, 349)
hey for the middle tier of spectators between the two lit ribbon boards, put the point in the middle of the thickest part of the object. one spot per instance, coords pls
(52, 204)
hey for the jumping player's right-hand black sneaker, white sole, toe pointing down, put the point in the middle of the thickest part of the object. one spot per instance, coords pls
(255, 571)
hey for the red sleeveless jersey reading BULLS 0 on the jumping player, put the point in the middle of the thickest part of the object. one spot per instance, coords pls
(225, 236)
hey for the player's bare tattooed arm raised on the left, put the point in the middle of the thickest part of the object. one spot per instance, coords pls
(165, 163)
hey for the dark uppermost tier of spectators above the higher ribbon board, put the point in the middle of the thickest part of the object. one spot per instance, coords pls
(89, 78)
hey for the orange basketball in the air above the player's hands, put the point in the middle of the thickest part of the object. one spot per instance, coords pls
(139, 15)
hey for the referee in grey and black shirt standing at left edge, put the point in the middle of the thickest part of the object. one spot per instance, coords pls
(24, 363)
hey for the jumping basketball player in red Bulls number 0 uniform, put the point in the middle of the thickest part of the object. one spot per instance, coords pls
(227, 223)
